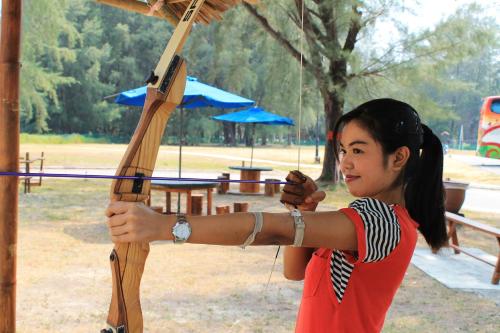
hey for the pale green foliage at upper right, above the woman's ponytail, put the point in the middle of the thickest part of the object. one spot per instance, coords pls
(444, 72)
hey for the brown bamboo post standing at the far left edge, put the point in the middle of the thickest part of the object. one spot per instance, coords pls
(10, 46)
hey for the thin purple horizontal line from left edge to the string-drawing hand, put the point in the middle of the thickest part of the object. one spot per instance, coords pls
(72, 175)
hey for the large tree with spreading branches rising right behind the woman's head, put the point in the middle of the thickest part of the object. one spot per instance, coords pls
(333, 31)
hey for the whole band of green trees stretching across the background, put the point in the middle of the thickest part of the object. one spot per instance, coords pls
(77, 52)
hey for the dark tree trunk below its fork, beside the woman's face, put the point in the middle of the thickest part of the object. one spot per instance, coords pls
(334, 106)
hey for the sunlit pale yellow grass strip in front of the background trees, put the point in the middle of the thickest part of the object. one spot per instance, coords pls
(218, 159)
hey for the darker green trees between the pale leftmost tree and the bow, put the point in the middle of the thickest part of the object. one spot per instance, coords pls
(114, 52)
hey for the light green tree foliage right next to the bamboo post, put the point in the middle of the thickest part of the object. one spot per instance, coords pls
(43, 60)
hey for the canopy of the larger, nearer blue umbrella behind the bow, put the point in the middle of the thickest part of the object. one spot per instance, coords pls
(196, 95)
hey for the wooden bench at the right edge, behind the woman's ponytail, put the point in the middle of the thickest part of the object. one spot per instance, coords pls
(454, 219)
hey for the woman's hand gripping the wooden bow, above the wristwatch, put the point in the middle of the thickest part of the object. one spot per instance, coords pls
(134, 222)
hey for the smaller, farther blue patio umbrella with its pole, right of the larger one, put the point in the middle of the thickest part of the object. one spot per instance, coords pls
(254, 116)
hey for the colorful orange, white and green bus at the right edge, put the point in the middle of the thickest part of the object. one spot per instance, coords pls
(488, 135)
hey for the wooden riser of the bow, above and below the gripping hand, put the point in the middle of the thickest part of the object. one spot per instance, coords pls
(128, 262)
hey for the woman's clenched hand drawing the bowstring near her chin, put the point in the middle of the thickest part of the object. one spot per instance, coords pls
(301, 192)
